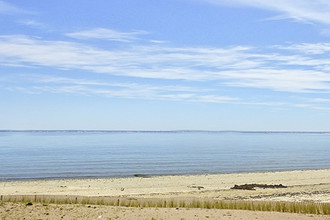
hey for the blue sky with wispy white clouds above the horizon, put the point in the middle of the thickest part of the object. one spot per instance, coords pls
(249, 65)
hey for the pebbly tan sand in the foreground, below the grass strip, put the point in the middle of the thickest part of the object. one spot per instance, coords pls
(70, 211)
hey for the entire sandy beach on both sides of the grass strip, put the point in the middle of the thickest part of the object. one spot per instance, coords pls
(302, 186)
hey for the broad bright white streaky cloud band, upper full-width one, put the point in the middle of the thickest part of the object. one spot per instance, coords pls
(283, 69)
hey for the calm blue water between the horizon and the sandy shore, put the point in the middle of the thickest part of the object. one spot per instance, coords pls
(78, 154)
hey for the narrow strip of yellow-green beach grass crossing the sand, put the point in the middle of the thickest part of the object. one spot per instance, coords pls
(270, 206)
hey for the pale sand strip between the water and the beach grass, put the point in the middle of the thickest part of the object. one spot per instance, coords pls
(307, 185)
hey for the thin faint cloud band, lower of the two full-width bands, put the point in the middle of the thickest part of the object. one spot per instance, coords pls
(47, 83)
